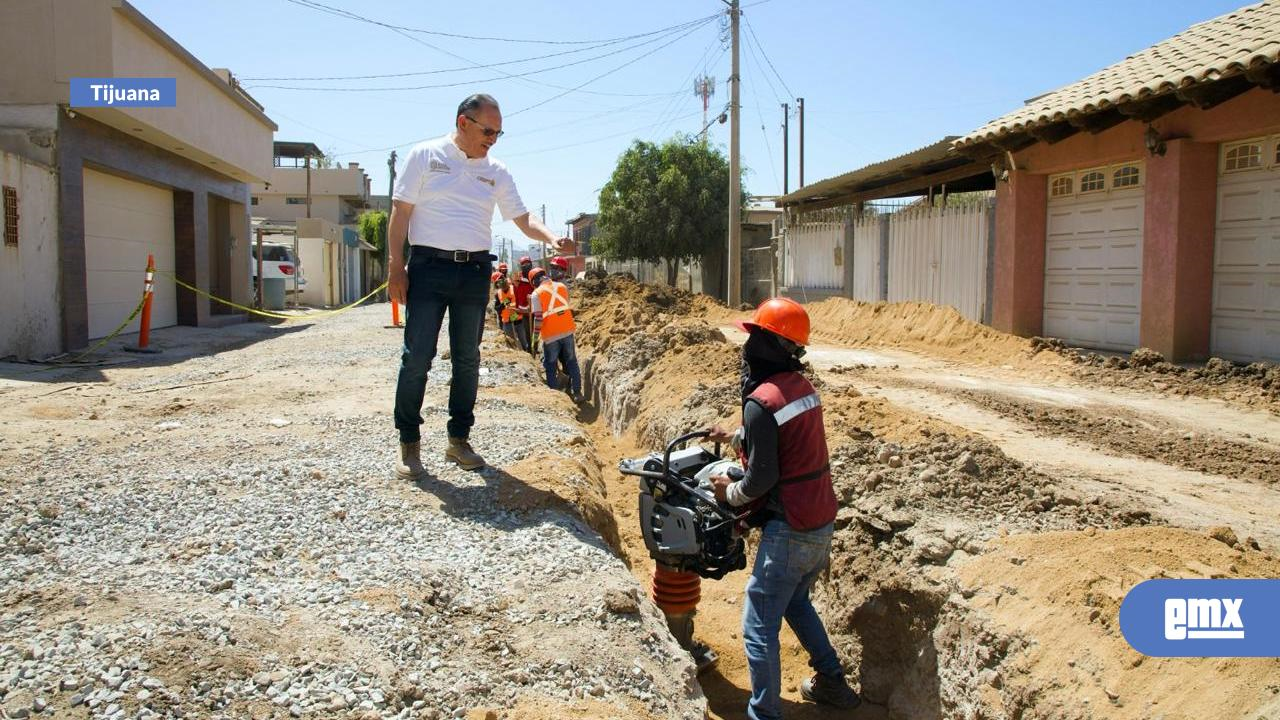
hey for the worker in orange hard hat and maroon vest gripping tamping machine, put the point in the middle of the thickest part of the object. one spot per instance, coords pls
(784, 446)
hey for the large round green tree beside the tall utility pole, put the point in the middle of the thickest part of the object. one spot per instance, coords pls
(665, 203)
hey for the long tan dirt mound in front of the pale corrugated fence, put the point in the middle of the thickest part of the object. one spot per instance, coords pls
(938, 330)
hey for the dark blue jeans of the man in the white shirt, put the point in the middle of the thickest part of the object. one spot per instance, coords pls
(436, 286)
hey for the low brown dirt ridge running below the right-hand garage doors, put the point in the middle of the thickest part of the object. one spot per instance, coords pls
(1254, 384)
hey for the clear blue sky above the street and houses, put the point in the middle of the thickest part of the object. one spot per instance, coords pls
(879, 79)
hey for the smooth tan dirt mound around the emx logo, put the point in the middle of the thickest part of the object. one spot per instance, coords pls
(1075, 663)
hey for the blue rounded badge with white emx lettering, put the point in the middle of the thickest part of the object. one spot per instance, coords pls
(1204, 618)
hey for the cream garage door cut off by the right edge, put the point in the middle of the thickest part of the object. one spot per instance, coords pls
(1247, 253)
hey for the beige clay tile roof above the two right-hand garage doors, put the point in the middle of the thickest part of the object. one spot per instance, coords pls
(1210, 52)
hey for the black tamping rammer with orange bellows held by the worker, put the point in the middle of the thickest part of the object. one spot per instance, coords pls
(689, 535)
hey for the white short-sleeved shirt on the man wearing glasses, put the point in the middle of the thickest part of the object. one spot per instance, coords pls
(454, 197)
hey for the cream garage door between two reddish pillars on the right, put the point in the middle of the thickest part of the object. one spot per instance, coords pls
(1094, 257)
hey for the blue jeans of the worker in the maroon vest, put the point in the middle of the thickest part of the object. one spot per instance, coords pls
(787, 564)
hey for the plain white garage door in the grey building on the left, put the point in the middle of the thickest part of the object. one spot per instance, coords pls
(124, 222)
